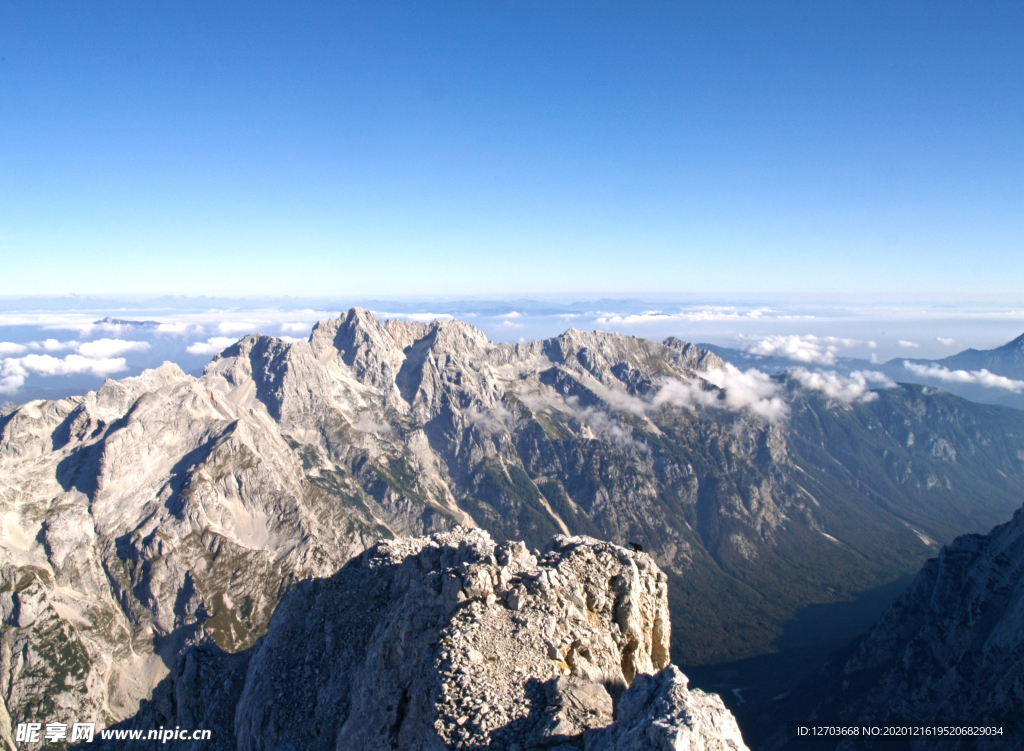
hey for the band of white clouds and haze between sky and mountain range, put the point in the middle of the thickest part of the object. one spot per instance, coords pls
(52, 349)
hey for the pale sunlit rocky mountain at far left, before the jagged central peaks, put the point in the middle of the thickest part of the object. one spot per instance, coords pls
(137, 518)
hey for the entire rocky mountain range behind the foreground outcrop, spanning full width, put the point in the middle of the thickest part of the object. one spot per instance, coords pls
(167, 510)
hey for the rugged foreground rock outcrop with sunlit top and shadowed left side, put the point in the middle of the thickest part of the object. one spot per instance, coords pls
(455, 642)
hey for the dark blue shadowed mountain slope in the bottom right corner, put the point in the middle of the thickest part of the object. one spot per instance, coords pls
(951, 651)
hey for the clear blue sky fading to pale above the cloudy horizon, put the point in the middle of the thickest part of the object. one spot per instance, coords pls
(807, 149)
